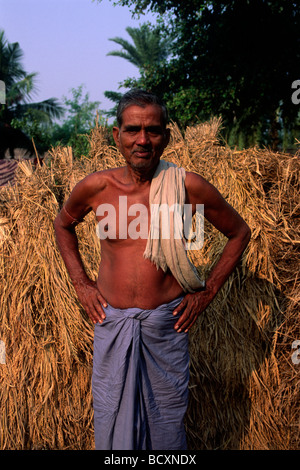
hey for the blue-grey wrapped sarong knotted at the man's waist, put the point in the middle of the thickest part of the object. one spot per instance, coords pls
(140, 380)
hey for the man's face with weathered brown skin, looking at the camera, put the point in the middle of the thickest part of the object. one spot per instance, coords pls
(142, 137)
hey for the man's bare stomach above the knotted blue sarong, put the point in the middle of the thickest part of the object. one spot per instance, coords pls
(128, 280)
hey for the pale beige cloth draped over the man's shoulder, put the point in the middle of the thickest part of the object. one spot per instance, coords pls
(168, 189)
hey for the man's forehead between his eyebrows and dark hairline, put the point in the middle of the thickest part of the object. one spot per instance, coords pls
(135, 114)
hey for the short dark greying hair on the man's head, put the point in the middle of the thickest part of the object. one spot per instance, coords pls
(141, 98)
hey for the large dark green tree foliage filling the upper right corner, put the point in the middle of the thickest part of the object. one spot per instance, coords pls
(236, 58)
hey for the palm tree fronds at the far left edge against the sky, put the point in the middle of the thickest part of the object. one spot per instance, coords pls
(20, 86)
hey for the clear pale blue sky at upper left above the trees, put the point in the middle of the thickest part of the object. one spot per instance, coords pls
(66, 42)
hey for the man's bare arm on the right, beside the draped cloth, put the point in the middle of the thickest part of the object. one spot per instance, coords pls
(231, 224)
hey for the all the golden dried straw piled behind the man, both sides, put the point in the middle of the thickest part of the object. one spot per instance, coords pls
(244, 387)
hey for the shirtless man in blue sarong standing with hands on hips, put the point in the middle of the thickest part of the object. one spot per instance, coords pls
(142, 313)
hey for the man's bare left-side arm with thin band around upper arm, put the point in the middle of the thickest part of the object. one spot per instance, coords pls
(76, 207)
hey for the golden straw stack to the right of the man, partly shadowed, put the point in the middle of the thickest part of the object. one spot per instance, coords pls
(244, 385)
